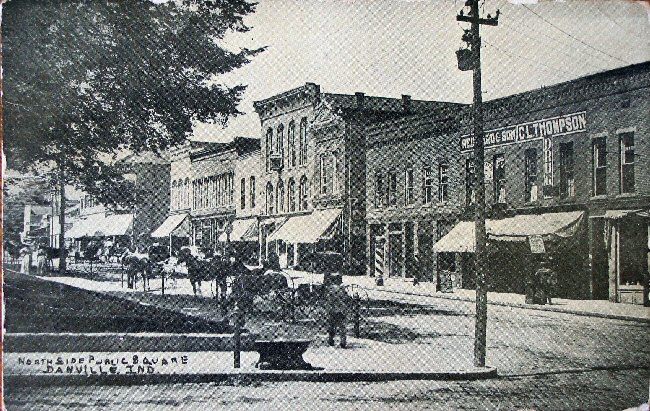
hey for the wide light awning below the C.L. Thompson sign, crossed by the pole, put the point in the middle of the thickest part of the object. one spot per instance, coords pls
(461, 239)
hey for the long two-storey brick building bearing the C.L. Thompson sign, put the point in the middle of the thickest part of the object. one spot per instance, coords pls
(567, 164)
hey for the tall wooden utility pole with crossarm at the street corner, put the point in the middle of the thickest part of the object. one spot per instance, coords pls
(473, 37)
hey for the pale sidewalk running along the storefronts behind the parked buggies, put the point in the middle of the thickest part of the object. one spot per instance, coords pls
(400, 289)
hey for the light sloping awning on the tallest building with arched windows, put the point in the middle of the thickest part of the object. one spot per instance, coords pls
(306, 229)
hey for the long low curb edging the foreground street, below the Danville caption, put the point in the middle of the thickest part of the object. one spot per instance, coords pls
(245, 376)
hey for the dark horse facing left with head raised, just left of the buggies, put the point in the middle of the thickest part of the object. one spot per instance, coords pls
(205, 270)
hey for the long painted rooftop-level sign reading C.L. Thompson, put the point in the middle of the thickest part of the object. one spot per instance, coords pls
(534, 130)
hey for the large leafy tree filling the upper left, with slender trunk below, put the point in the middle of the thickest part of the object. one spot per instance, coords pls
(84, 80)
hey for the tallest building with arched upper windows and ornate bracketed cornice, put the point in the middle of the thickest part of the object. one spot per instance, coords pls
(313, 180)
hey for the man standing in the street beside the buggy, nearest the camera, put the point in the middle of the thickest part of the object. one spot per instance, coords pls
(338, 303)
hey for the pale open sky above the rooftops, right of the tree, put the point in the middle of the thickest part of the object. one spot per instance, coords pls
(394, 47)
